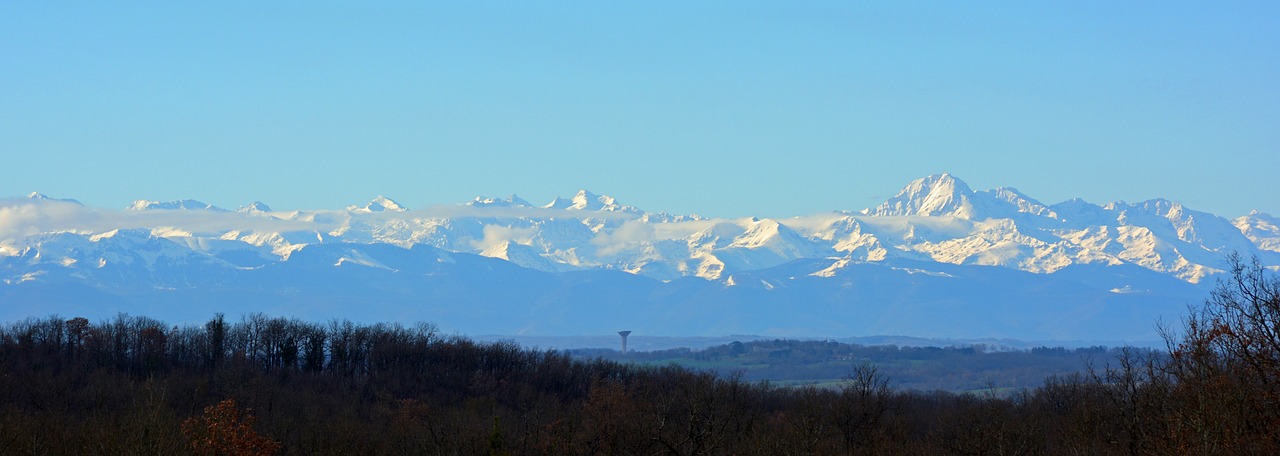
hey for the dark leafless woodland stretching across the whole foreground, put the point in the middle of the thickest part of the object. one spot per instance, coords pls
(263, 385)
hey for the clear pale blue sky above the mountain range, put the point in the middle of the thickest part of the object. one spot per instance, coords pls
(723, 110)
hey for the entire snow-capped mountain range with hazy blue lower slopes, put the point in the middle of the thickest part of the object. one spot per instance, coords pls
(993, 262)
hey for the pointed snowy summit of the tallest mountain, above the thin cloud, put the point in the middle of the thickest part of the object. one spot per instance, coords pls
(931, 197)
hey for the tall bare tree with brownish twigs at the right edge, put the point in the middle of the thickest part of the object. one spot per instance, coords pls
(1227, 364)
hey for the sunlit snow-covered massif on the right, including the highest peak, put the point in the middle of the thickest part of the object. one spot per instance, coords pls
(1159, 235)
